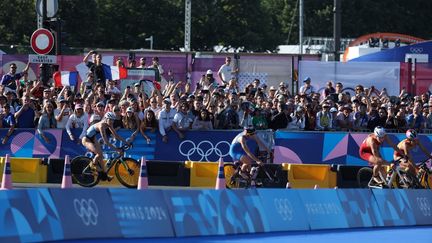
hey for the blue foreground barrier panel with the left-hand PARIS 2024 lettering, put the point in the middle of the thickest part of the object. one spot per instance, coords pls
(142, 213)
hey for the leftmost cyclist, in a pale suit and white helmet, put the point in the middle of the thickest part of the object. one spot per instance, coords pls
(104, 128)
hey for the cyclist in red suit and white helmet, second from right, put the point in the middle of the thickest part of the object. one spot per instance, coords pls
(369, 151)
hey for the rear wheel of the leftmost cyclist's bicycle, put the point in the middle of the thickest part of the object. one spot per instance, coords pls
(82, 173)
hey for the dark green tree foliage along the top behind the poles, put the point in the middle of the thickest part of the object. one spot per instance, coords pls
(258, 25)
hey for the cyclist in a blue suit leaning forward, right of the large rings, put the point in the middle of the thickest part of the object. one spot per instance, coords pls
(243, 149)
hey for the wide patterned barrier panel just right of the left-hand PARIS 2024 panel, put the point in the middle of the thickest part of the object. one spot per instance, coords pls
(210, 212)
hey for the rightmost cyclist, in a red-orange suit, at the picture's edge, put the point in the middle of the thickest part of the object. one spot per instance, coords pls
(406, 146)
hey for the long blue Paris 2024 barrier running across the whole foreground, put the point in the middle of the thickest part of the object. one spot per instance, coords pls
(55, 214)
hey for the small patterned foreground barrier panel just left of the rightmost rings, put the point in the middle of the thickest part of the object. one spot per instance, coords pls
(394, 207)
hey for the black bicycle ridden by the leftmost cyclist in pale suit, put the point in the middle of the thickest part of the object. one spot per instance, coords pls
(127, 170)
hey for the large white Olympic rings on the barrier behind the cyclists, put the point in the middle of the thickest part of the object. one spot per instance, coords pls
(200, 149)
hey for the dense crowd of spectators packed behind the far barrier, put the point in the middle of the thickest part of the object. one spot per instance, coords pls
(178, 107)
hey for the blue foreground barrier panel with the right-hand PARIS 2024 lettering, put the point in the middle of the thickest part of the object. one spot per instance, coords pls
(323, 209)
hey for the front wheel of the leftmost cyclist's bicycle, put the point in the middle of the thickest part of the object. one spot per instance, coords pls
(128, 172)
